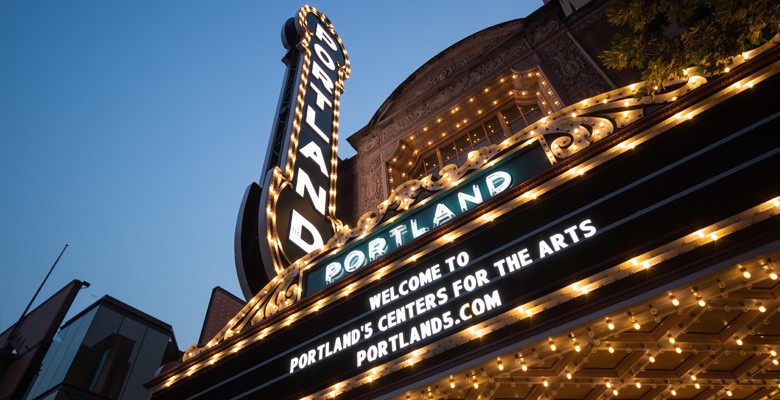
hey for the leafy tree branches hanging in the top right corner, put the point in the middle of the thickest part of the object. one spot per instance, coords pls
(662, 37)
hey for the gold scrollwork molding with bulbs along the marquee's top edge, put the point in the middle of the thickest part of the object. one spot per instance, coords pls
(616, 110)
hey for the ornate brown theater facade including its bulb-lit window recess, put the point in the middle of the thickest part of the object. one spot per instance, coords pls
(544, 61)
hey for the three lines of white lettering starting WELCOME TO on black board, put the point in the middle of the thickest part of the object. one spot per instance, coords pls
(450, 292)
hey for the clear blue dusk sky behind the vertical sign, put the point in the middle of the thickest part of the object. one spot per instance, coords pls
(130, 130)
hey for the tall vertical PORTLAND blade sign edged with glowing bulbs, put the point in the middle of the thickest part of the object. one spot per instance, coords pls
(294, 212)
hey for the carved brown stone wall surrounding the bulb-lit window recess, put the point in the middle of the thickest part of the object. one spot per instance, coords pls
(563, 49)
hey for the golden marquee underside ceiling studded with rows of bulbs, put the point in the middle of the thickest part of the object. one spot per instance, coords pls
(726, 348)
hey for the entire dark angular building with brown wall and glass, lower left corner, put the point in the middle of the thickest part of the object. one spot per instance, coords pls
(107, 351)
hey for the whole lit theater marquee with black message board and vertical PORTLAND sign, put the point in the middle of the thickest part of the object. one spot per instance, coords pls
(515, 247)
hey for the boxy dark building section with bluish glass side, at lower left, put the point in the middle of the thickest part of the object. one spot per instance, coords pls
(107, 351)
